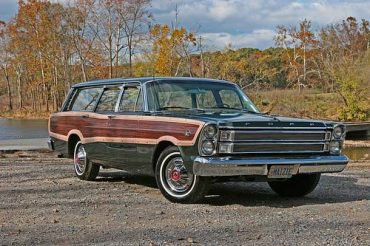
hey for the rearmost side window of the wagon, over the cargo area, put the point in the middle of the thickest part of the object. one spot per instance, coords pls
(85, 99)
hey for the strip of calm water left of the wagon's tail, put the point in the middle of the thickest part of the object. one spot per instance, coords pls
(23, 129)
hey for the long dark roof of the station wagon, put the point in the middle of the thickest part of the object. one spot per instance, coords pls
(143, 80)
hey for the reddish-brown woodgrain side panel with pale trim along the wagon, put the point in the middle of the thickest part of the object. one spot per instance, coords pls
(106, 134)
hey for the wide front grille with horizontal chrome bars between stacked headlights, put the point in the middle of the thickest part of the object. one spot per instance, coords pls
(274, 140)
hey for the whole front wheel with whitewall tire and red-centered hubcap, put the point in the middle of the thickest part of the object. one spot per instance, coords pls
(174, 180)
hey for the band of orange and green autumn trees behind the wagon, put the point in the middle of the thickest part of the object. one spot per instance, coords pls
(48, 46)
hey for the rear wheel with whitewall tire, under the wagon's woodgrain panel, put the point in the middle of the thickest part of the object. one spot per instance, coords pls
(84, 168)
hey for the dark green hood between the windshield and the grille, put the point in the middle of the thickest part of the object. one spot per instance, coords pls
(244, 119)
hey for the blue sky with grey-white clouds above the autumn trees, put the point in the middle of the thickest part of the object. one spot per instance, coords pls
(241, 23)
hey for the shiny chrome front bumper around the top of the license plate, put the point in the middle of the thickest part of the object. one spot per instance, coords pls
(233, 166)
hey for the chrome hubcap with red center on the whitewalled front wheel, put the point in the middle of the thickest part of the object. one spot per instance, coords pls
(177, 177)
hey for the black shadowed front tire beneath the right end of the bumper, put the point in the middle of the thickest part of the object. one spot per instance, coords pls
(298, 185)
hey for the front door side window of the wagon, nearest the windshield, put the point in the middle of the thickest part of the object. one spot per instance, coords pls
(131, 100)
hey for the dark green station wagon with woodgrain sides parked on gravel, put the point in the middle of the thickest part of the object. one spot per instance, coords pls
(189, 133)
